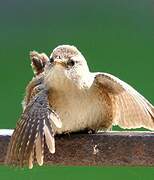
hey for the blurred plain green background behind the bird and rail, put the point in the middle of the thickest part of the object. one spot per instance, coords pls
(115, 36)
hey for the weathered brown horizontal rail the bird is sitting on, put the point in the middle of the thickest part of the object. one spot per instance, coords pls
(102, 149)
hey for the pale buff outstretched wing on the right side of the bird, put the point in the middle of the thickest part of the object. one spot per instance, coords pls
(130, 109)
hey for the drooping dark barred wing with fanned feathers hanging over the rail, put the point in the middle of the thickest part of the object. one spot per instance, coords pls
(32, 131)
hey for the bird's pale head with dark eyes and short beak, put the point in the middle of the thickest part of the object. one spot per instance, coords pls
(67, 63)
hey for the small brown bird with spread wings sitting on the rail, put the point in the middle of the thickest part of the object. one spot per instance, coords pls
(65, 96)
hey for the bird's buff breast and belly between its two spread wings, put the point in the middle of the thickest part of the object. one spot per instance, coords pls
(78, 109)
